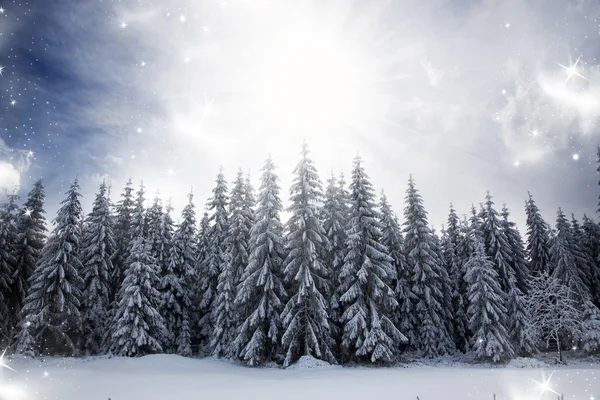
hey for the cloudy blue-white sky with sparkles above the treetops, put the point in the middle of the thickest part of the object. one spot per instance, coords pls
(467, 96)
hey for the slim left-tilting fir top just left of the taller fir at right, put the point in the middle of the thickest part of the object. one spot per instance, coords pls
(518, 254)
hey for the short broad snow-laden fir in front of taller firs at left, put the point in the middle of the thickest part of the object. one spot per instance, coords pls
(137, 324)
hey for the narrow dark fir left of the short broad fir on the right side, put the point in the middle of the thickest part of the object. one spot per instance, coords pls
(451, 242)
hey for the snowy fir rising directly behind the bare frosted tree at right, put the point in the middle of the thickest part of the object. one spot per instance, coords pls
(565, 267)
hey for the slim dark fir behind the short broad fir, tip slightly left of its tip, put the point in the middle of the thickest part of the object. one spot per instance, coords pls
(123, 236)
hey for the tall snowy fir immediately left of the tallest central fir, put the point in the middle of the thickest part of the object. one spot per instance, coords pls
(261, 293)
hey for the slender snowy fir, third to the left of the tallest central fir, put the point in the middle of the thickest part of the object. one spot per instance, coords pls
(218, 283)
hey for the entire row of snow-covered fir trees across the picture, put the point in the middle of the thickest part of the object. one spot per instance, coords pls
(344, 280)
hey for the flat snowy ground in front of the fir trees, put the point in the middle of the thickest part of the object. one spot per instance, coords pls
(169, 377)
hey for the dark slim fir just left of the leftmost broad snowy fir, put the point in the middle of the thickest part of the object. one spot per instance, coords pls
(30, 241)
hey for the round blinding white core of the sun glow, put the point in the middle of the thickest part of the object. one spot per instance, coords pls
(310, 81)
